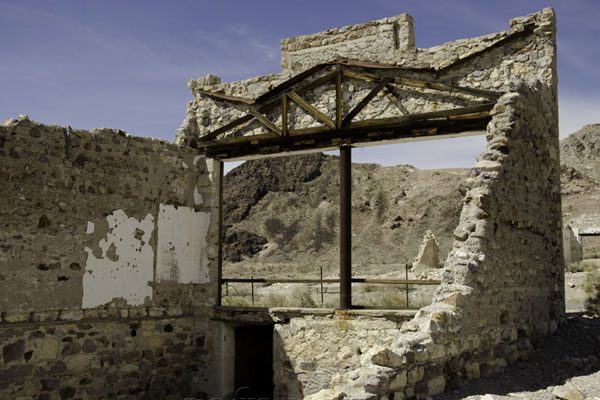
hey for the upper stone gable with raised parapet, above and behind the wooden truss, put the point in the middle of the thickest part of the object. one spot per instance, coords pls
(525, 52)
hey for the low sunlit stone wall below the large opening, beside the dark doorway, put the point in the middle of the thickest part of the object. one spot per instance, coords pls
(313, 351)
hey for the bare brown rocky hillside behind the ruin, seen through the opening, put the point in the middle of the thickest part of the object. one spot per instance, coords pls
(281, 214)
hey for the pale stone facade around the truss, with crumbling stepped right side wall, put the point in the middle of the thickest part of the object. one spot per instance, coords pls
(503, 281)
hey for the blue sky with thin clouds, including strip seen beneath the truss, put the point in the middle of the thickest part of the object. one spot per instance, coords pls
(124, 64)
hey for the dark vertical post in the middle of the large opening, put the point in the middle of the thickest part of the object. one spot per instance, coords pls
(345, 227)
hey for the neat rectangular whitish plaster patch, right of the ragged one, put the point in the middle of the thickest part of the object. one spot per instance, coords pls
(181, 254)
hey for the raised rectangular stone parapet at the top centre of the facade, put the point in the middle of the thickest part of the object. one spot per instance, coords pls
(377, 41)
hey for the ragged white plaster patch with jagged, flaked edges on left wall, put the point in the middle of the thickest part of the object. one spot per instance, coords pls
(125, 266)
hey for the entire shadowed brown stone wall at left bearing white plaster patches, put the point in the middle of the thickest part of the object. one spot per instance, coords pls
(108, 264)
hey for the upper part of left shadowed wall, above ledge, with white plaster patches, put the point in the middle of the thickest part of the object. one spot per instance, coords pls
(83, 211)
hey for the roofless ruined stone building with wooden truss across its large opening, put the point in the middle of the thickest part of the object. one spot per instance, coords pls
(110, 252)
